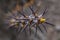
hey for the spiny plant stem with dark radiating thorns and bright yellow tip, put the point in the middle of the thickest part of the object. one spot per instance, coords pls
(32, 21)
